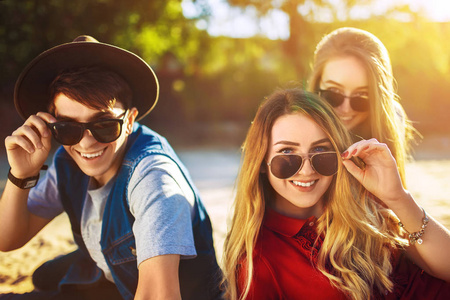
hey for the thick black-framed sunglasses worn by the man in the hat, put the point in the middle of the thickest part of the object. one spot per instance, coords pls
(70, 133)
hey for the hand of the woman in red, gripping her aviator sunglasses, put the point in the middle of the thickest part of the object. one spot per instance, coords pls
(380, 175)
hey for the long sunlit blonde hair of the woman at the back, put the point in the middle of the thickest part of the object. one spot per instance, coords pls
(388, 122)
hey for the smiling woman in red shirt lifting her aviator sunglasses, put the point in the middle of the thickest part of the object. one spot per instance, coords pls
(307, 221)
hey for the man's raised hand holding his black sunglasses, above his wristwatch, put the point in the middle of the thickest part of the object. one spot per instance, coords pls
(28, 146)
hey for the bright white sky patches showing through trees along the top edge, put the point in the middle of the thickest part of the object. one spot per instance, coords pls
(243, 23)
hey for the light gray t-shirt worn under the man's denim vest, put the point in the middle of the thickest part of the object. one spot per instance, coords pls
(160, 200)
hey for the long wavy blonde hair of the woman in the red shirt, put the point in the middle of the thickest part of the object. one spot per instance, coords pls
(358, 232)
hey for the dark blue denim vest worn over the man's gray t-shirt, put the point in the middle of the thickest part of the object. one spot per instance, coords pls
(199, 277)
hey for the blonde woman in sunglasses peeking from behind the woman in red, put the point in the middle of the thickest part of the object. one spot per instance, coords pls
(352, 71)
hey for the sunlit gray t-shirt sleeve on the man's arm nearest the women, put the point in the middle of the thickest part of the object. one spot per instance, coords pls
(162, 204)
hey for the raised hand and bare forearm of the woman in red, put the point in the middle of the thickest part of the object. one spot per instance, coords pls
(381, 178)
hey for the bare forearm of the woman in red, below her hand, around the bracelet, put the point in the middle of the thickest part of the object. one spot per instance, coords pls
(432, 254)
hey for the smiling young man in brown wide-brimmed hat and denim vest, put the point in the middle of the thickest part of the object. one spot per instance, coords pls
(136, 216)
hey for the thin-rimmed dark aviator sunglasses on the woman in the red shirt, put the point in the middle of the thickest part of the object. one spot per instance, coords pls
(287, 165)
